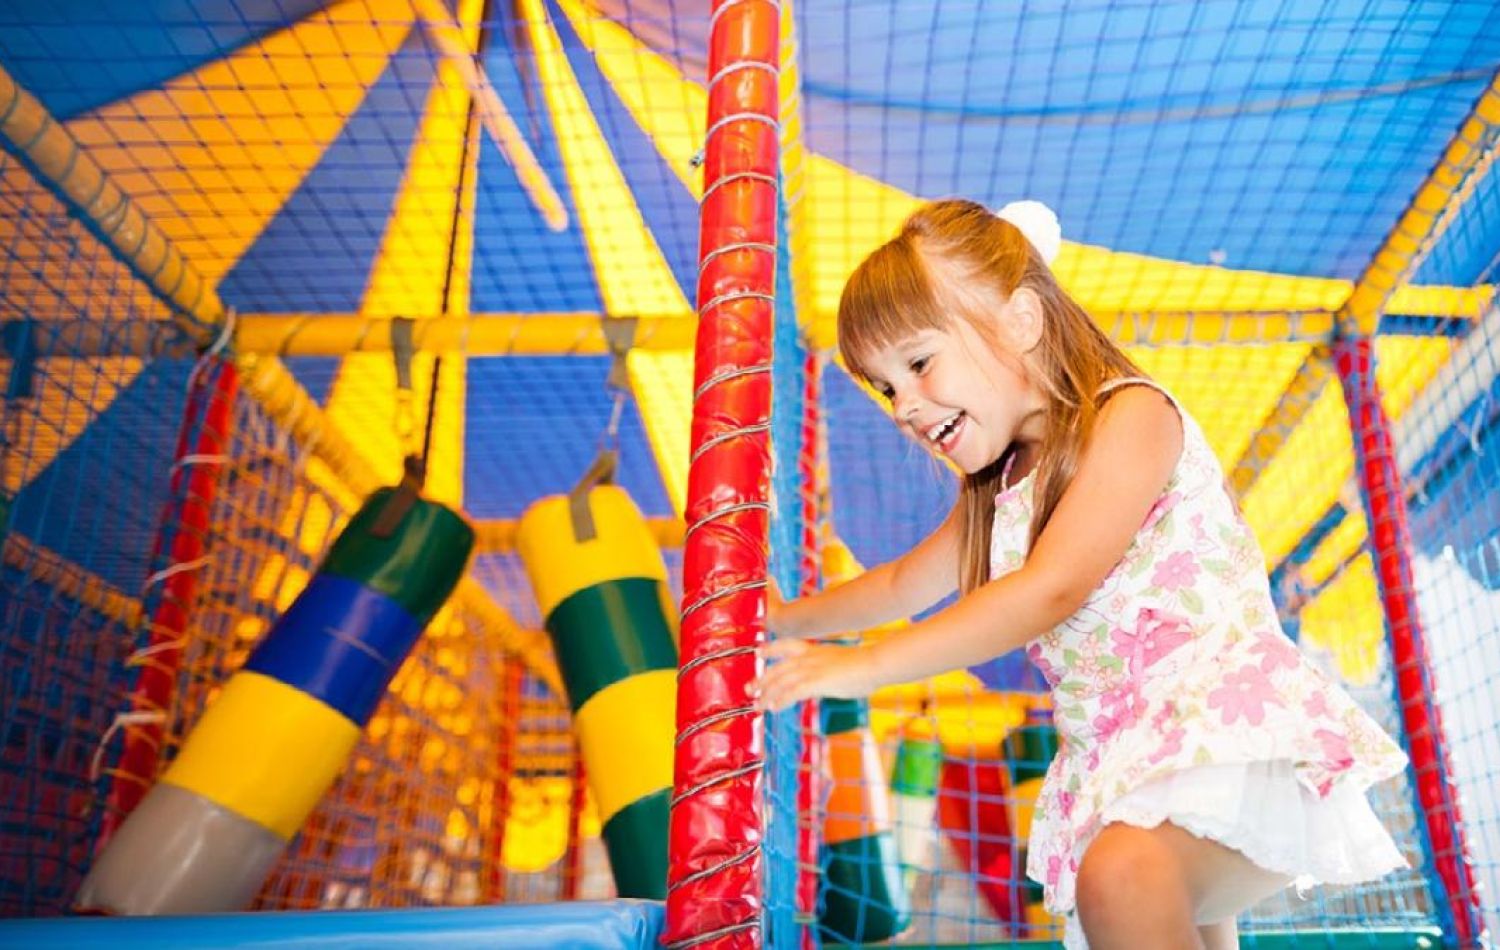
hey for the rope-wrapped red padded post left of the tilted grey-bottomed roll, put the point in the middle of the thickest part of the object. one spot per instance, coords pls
(203, 443)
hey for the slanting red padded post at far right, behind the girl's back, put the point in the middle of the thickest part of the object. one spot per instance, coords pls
(1448, 867)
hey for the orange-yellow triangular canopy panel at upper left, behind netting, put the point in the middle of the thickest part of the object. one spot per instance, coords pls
(209, 155)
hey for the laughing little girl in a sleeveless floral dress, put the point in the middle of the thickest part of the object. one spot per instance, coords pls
(1204, 763)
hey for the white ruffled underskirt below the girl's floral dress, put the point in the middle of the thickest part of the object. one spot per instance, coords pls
(1262, 811)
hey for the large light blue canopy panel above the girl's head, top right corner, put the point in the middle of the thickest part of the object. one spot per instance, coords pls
(1199, 133)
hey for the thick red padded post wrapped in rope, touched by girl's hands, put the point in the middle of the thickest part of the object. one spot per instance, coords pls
(716, 829)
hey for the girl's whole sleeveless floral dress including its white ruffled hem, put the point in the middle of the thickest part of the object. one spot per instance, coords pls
(1177, 696)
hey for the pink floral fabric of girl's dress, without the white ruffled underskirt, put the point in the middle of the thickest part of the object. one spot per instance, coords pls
(1192, 586)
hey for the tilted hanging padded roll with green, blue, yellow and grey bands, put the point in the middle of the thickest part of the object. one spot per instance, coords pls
(280, 733)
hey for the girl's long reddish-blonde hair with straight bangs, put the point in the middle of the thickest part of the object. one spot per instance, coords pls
(985, 259)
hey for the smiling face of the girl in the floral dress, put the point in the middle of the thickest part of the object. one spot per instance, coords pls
(958, 397)
